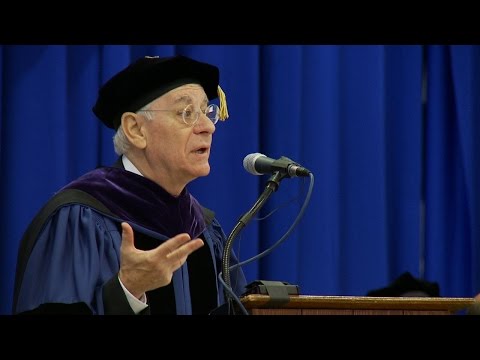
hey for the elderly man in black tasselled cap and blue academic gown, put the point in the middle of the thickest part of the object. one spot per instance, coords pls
(130, 238)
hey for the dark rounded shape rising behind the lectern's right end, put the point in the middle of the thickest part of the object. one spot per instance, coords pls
(408, 286)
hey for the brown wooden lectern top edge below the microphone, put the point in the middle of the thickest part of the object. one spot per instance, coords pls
(355, 305)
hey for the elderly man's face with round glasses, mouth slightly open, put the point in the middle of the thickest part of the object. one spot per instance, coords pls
(177, 152)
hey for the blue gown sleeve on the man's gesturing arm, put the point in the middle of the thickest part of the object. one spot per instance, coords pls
(73, 266)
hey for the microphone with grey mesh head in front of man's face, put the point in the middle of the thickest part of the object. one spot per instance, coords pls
(259, 164)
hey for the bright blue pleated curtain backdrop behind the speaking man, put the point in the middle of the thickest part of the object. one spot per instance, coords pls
(390, 133)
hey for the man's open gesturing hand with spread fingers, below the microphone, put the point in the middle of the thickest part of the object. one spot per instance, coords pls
(141, 271)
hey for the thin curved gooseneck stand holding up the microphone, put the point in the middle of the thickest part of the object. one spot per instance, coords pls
(272, 185)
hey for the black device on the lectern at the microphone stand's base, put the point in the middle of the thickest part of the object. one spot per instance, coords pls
(278, 291)
